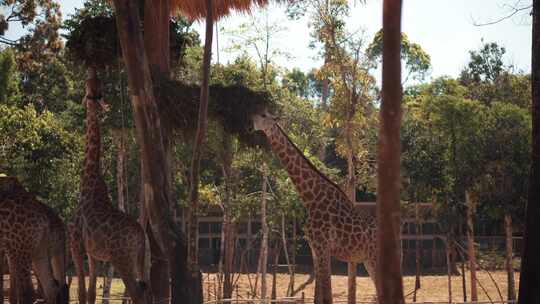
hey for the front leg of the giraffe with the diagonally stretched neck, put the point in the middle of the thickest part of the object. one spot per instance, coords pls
(323, 286)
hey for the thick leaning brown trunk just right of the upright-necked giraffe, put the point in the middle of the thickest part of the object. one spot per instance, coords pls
(155, 189)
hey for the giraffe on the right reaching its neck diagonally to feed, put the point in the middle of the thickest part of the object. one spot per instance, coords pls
(335, 227)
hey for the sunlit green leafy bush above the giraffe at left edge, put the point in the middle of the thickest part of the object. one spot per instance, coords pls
(35, 147)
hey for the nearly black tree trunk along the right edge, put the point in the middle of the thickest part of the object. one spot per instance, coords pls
(530, 263)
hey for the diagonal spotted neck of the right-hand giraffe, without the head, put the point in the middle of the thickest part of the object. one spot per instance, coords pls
(310, 182)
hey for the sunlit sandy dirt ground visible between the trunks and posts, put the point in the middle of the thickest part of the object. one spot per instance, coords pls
(433, 287)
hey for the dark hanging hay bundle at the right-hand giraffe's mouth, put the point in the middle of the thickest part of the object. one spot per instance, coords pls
(231, 106)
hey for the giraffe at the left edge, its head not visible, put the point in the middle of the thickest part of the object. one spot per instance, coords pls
(26, 235)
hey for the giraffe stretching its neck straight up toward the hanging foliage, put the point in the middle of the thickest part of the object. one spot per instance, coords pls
(100, 230)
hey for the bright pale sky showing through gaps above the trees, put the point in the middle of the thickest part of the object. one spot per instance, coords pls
(444, 29)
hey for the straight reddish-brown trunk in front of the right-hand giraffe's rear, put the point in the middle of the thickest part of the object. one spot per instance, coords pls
(388, 269)
